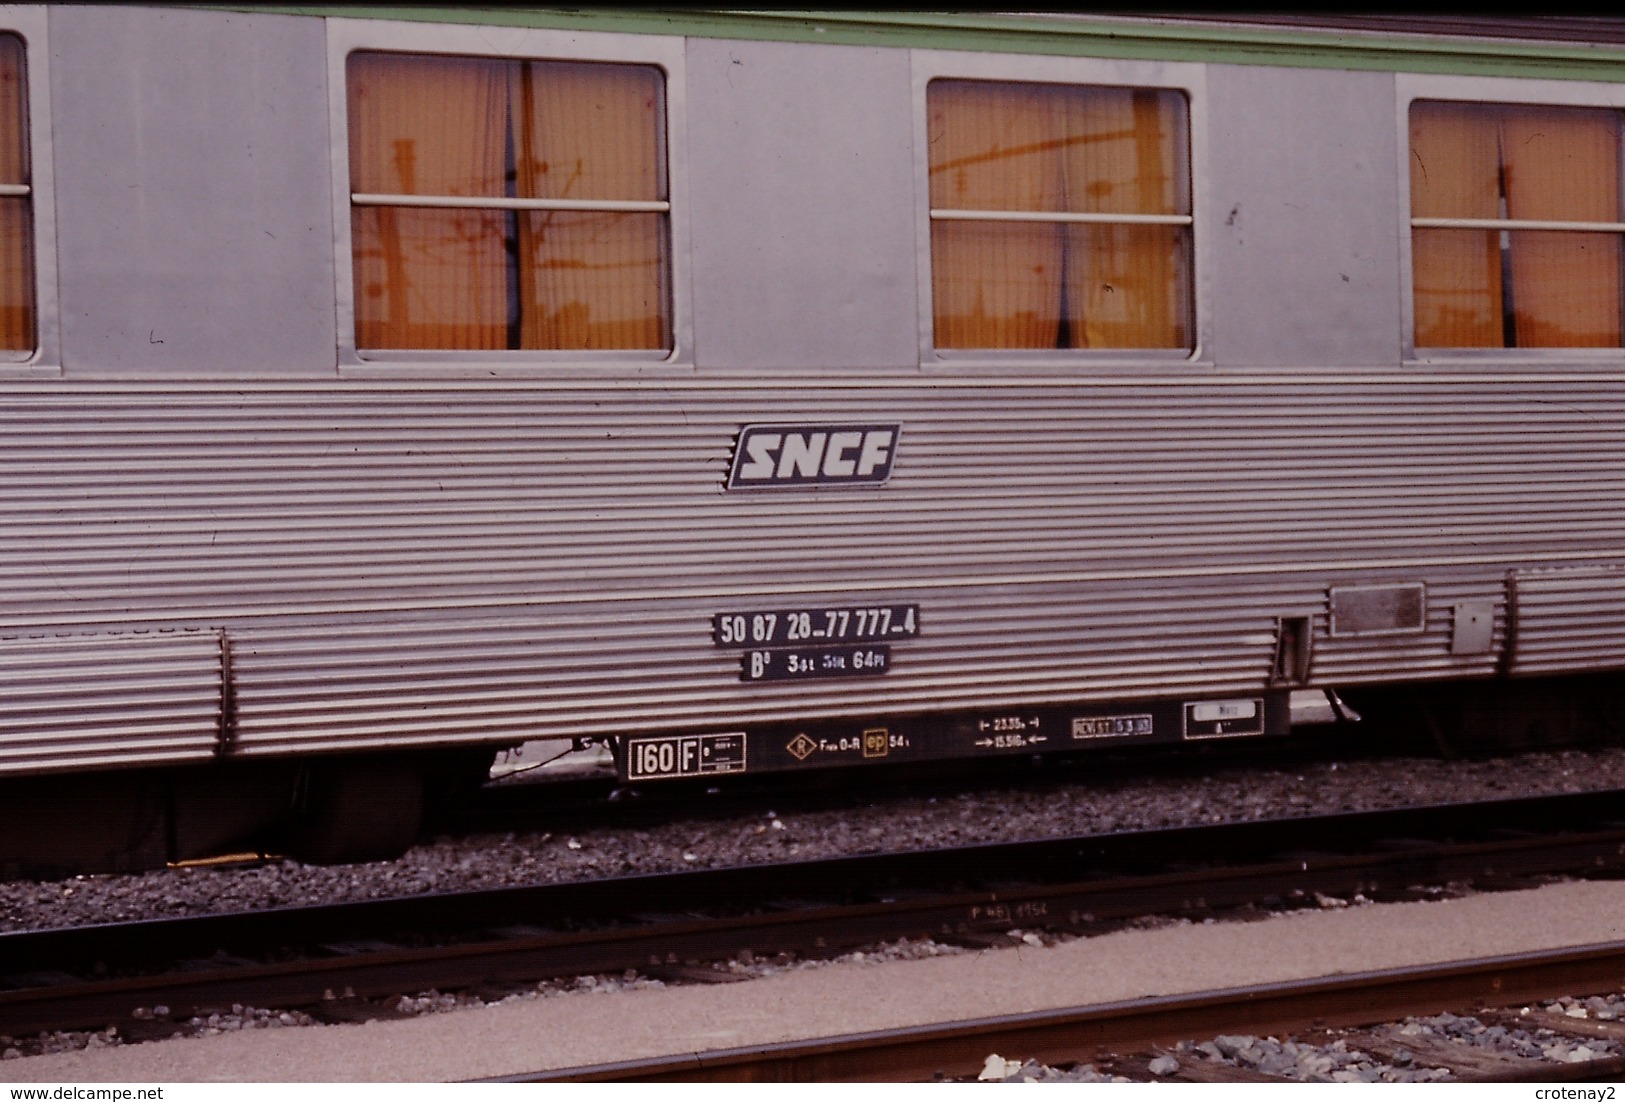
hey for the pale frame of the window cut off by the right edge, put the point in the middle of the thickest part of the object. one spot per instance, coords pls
(1494, 92)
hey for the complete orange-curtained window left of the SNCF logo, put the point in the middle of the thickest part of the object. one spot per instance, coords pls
(508, 204)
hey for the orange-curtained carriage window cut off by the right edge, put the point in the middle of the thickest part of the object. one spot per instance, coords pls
(1515, 227)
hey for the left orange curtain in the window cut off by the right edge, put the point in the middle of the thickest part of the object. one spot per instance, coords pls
(1457, 274)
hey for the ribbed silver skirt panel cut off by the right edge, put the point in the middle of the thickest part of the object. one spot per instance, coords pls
(1569, 620)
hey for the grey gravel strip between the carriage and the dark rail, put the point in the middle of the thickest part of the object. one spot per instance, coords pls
(630, 848)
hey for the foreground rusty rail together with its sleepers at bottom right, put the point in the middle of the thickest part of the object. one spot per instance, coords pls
(1129, 1038)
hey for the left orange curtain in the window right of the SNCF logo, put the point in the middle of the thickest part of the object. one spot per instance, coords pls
(995, 285)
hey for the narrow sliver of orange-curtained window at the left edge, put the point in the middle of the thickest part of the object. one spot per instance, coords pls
(17, 212)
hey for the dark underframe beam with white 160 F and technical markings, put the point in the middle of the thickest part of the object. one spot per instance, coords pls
(966, 737)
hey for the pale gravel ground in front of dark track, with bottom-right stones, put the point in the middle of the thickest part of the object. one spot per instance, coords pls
(613, 1022)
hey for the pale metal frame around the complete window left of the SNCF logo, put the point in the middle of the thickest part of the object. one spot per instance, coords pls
(349, 37)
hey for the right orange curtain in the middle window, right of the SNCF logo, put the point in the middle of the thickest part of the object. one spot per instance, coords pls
(1125, 285)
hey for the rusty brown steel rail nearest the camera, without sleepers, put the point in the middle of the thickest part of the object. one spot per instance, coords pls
(1075, 1035)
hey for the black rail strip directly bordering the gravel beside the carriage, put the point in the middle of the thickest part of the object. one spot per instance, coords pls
(1091, 857)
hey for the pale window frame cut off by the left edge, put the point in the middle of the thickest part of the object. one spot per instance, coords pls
(28, 24)
